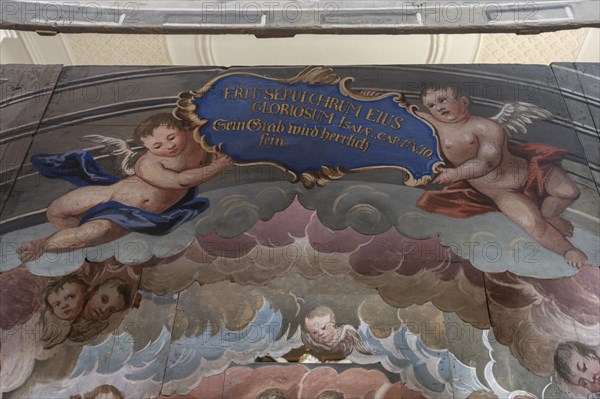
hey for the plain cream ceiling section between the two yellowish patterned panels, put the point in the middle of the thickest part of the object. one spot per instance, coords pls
(330, 49)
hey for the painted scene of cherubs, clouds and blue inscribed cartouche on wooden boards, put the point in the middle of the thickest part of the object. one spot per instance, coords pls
(385, 232)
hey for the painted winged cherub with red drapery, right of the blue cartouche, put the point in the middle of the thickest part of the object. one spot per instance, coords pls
(485, 173)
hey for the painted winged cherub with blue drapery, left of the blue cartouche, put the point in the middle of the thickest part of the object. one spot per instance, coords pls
(158, 196)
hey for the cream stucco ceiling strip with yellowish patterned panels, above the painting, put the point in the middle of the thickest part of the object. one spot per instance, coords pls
(112, 49)
